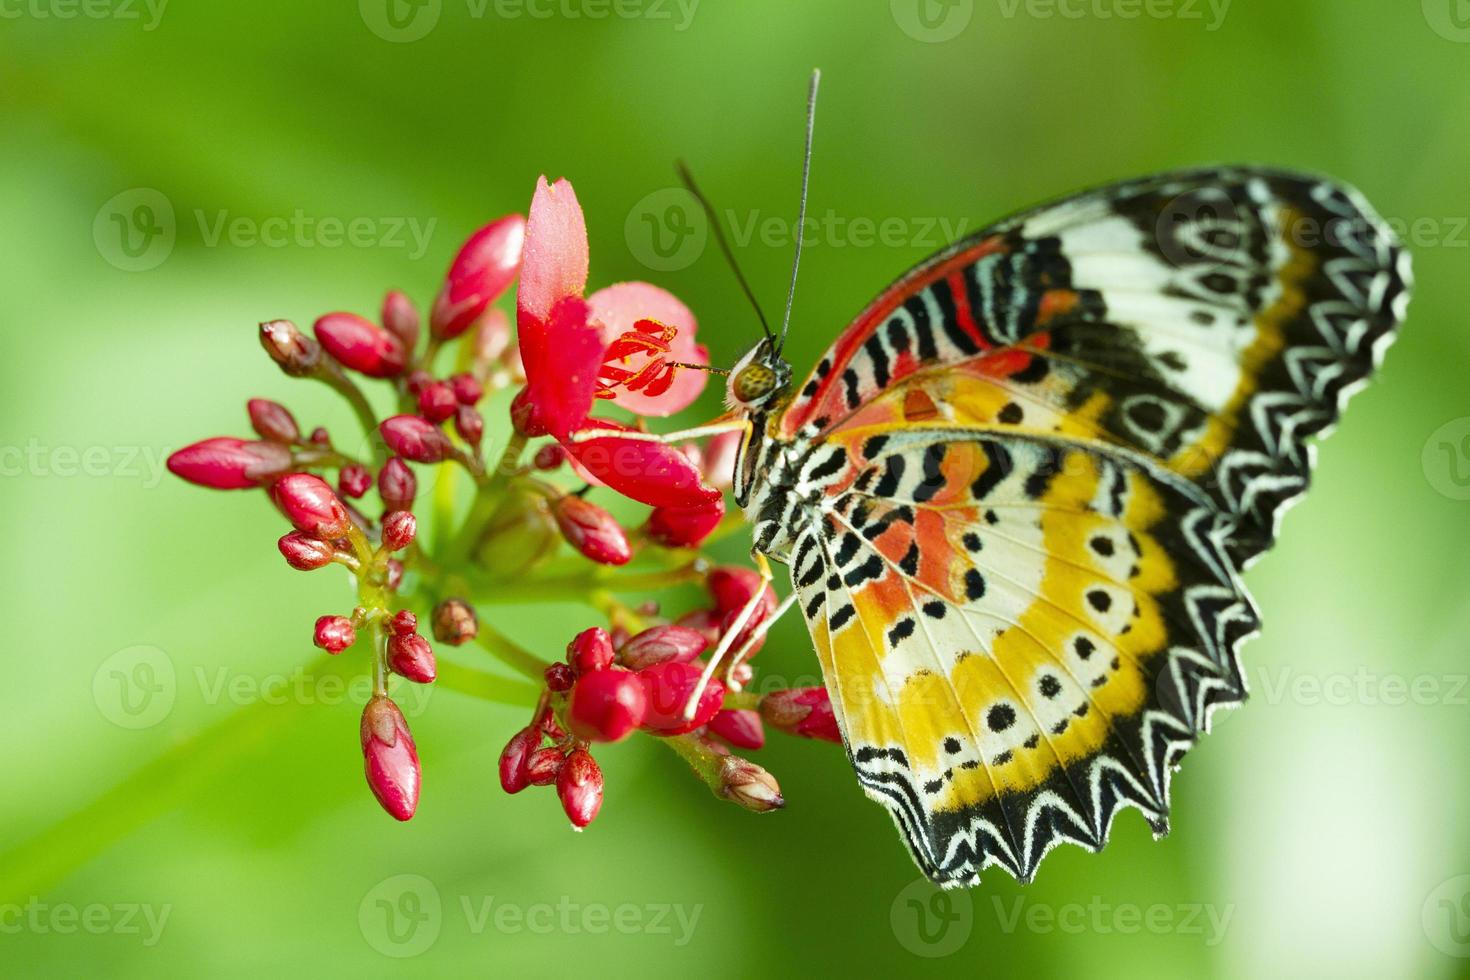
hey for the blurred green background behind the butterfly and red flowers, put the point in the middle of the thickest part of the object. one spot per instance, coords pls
(1318, 832)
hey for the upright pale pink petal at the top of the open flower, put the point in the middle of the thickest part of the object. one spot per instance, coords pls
(555, 256)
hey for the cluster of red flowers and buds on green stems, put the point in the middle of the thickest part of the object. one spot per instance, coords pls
(627, 347)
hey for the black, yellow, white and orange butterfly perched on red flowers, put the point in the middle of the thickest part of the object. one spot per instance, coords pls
(1017, 494)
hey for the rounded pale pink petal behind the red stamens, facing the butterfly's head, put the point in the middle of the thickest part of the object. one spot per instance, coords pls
(618, 309)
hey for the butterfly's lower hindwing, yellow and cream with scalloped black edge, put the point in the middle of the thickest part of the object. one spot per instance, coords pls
(1019, 637)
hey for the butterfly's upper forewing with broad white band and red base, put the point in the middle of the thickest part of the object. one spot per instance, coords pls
(1209, 320)
